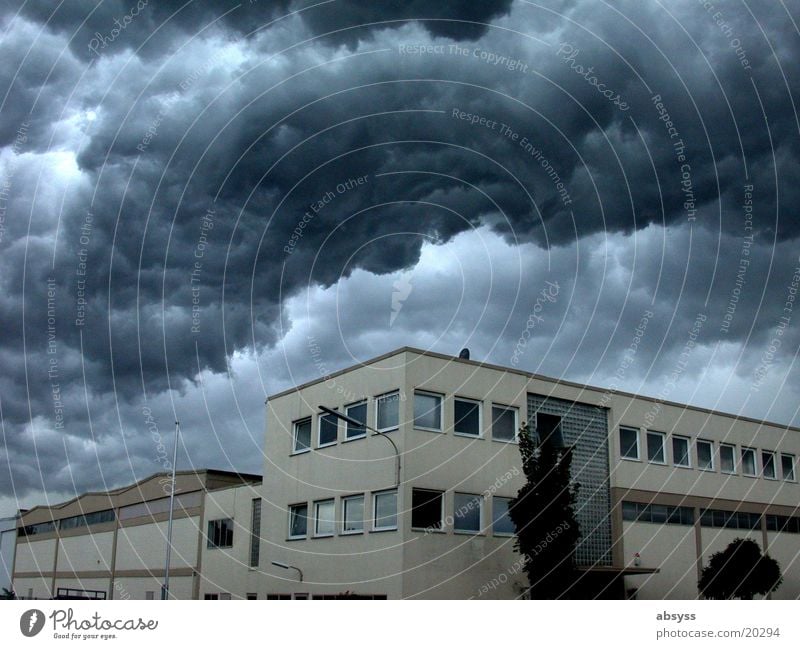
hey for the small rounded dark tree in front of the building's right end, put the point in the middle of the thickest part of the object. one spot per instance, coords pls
(739, 571)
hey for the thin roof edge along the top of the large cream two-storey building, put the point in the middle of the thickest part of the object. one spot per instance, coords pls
(529, 375)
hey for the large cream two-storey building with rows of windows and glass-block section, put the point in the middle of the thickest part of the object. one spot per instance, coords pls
(662, 485)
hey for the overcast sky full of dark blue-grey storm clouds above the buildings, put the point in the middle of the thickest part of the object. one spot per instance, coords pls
(203, 203)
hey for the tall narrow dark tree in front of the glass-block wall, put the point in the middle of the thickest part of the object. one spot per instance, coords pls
(547, 532)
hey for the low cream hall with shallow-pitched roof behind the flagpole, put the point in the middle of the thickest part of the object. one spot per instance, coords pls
(112, 545)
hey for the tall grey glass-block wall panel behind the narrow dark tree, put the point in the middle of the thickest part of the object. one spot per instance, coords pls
(585, 427)
